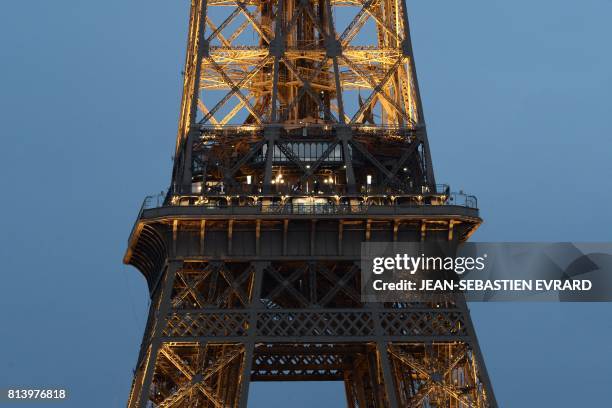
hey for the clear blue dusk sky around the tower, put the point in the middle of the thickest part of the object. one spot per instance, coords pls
(518, 106)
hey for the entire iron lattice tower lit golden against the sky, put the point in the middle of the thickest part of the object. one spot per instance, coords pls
(301, 136)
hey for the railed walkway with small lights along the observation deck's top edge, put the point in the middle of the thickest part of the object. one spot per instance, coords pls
(326, 202)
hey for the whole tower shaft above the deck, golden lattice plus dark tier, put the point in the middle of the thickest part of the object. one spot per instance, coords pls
(261, 76)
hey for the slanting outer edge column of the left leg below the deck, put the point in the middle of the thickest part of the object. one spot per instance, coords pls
(161, 316)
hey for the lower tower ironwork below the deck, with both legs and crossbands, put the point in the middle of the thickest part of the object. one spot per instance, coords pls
(216, 326)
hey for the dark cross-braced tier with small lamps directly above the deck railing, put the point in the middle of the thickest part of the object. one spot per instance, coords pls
(233, 161)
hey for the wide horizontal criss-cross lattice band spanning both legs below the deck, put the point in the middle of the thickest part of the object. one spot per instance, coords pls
(357, 324)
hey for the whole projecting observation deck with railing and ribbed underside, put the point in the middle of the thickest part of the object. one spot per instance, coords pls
(214, 225)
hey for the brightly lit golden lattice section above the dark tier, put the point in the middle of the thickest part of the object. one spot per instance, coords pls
(299, 59)
